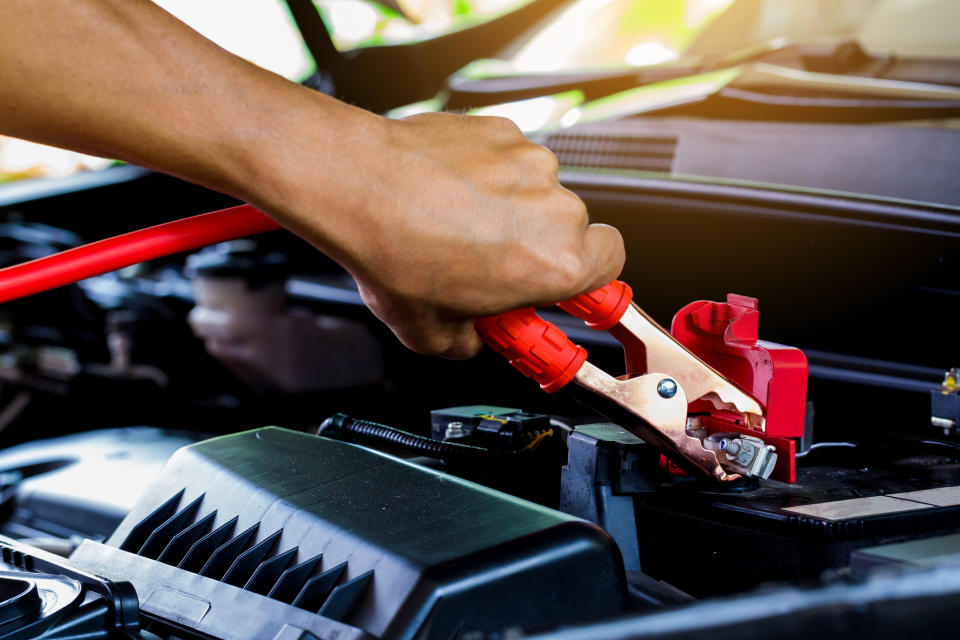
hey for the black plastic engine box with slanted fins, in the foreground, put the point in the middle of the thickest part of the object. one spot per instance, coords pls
(242, 534)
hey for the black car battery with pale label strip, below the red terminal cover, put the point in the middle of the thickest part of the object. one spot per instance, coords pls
(718, 540)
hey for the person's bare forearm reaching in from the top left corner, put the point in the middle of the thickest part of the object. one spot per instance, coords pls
(124, 79)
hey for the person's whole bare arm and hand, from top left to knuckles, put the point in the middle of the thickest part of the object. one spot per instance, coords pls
(440, 218)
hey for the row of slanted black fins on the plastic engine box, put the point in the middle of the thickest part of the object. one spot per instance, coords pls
(183, 538)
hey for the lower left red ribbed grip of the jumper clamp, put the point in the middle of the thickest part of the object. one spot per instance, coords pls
(535, 347)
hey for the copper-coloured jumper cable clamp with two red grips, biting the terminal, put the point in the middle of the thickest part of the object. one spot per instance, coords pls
(668, 396)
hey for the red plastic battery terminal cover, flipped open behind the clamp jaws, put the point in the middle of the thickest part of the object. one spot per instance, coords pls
(725, 336)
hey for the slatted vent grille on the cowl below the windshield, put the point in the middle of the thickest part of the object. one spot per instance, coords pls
(614, 151)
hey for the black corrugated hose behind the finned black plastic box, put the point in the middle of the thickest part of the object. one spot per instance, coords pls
(343, 427)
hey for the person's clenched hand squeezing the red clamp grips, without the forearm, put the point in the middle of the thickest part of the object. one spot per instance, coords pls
(464, 217)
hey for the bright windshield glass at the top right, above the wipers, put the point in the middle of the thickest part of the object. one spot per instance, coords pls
(599, 33)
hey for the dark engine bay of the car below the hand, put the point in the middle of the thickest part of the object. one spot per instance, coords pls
(301, 475)
